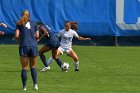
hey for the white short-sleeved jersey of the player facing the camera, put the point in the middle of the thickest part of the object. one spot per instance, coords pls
(66, 37)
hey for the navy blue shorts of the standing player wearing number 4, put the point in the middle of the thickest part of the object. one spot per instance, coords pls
(28, 51)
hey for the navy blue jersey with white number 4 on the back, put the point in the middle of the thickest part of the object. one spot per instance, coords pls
(27, 37)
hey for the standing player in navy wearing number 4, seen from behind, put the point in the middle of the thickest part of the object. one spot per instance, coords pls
(26, 34)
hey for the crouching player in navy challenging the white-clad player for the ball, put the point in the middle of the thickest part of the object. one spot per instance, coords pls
(52, 43)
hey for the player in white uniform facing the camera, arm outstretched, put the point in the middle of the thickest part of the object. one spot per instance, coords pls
(66, 35)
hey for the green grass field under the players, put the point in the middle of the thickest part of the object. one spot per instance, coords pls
(102, 70)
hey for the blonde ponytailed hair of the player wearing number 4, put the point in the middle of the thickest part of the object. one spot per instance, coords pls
(24, 17)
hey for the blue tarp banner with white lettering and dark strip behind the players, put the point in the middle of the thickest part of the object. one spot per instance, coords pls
(107, 22)
